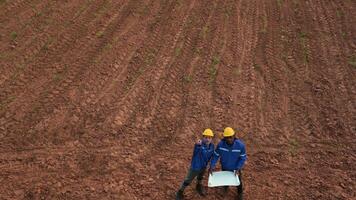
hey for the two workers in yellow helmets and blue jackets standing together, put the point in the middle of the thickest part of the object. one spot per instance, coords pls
(231, 152)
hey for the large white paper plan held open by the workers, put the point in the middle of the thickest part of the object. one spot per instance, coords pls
(223, 178)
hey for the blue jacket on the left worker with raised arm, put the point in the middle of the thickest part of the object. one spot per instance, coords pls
(201, 156)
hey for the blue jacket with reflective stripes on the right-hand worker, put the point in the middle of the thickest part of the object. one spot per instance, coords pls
(232, 157)
